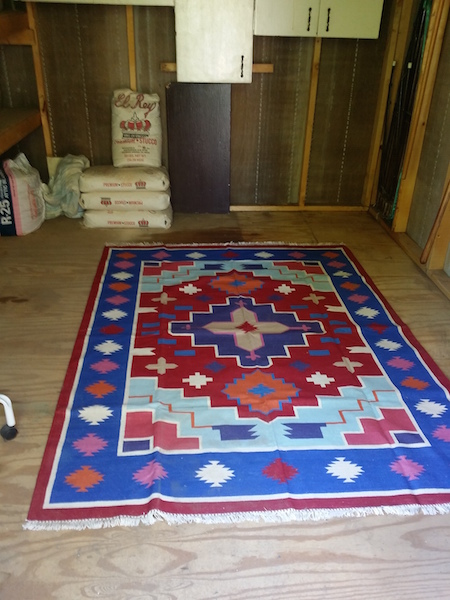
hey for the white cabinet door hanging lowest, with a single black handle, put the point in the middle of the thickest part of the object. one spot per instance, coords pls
(214, 41)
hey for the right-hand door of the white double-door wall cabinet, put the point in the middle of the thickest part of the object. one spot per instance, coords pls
(350, 18)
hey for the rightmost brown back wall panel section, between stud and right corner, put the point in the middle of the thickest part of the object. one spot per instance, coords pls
(349, 80)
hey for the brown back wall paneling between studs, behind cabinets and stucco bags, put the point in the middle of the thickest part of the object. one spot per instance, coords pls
(85, 56)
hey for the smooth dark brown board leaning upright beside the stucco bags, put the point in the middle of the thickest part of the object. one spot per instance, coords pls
(199, 121)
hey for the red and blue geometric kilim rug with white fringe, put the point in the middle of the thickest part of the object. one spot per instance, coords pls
(229, 382)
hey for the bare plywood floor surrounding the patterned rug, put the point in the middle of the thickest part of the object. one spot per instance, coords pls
(44, 282)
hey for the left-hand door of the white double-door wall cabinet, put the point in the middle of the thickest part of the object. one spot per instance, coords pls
(286, 17)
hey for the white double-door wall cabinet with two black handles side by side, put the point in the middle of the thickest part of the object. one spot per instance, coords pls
(321, 18)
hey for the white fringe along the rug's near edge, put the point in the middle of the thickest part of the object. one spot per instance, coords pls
(278, 516)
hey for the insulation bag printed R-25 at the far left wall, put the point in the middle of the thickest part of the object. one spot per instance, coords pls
(22, 208)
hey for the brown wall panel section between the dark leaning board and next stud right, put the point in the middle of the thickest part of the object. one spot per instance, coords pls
(268, 125)
